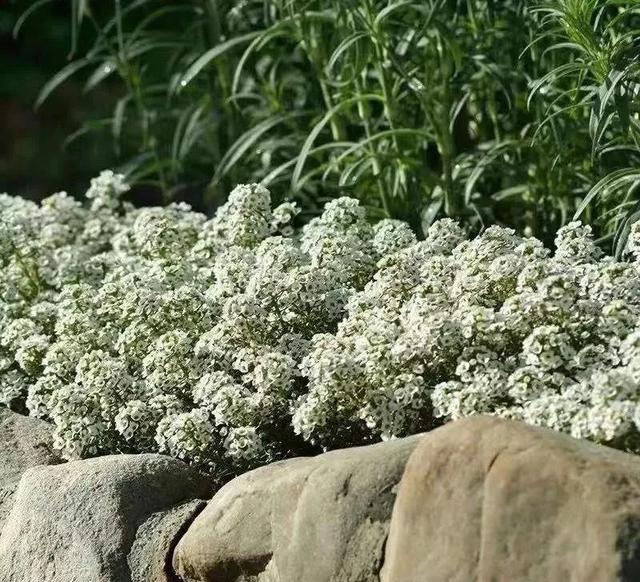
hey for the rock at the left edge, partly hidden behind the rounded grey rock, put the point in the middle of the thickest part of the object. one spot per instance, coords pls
(24, 443)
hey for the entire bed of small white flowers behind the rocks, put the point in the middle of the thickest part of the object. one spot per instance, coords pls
(232, 341)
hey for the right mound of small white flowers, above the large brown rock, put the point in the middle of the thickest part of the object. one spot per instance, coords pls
(497, 325)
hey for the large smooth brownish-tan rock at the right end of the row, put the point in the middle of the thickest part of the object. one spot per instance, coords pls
(485, 499)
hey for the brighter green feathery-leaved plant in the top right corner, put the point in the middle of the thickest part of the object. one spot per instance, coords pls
(593, 79)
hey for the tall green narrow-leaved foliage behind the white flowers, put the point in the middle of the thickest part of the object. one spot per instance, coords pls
(494, 112)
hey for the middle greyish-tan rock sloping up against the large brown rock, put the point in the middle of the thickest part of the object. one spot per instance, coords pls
(316, 519)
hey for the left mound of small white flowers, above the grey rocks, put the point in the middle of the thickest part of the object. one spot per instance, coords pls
(158, 329)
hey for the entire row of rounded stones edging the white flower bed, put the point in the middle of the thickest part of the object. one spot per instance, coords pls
(481, 499)
